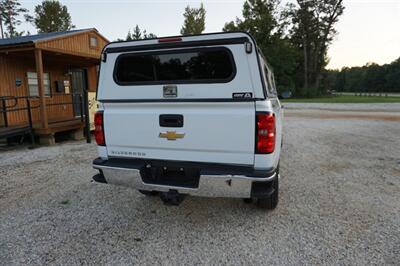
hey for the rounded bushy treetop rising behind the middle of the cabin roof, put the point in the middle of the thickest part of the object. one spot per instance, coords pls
(51, 16)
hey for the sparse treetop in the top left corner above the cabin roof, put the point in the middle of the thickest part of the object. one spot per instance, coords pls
(10, 11)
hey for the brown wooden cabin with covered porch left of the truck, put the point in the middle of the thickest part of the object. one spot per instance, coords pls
(50, 73)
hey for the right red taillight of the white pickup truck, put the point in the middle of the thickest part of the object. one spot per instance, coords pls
(265, 133)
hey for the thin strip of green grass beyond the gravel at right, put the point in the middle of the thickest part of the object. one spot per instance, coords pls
(345, 99)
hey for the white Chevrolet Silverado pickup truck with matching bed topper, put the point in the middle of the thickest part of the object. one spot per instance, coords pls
(189, 115)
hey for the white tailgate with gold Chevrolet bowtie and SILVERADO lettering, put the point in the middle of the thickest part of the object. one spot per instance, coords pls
(217, 132)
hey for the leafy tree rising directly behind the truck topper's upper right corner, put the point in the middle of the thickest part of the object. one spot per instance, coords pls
(262, 19)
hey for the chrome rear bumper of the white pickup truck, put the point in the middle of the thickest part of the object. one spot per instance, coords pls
(214, 181)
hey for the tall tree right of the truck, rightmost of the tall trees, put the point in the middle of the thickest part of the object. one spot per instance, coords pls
(312, 32)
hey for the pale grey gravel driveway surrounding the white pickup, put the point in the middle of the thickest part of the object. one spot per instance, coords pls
(339, 204)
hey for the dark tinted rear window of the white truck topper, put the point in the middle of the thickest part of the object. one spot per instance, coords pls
(202, 65)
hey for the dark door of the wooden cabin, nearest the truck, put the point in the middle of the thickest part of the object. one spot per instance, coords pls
(78, 87)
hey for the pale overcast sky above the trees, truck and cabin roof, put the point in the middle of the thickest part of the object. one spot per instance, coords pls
(369, 30)
